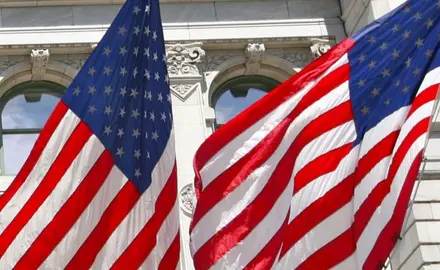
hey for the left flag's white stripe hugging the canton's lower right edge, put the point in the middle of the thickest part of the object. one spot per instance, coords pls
(141, 213)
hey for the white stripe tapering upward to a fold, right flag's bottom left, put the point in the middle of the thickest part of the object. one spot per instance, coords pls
(244, 252)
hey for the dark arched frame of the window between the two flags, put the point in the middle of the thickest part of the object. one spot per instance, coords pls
(253, 81)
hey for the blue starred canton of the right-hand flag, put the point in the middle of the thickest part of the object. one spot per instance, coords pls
(390, 59)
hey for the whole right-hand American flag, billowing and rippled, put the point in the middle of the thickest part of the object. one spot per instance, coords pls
(318, 173)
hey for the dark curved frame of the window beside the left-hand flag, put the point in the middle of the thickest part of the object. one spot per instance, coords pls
(38, 87)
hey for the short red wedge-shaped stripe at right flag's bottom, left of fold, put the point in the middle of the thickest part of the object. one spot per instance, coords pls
(266, 257)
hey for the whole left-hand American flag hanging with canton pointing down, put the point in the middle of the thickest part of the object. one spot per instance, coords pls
(99, 189)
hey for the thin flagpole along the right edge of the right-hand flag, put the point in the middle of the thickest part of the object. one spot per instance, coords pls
(435, 114)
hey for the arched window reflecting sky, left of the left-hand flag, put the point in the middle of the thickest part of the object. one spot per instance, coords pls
(24, 111)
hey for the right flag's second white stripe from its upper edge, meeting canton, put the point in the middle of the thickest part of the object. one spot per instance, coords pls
(233, 204)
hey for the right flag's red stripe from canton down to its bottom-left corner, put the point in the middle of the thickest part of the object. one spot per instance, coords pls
(235, 231)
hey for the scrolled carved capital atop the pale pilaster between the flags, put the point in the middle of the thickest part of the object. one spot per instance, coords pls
(184, 59)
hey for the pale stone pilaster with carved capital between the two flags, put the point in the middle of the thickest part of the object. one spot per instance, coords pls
(184, 68)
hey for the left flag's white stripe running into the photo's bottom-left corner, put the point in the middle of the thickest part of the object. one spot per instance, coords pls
(68, 183)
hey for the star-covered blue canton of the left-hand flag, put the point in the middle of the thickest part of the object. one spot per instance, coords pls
(122, 92)
